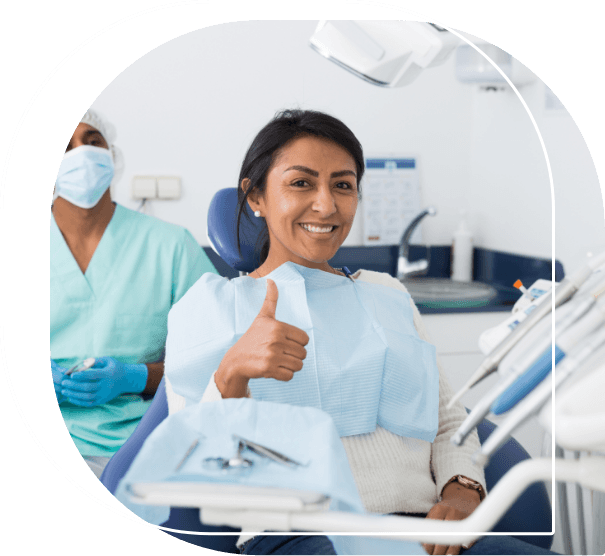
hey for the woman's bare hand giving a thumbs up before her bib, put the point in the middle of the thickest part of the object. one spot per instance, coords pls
(269, 349)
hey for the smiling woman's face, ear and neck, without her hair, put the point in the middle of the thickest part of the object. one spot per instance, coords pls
(309, 203)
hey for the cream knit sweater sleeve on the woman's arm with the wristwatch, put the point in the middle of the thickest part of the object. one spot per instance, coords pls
(447, 460)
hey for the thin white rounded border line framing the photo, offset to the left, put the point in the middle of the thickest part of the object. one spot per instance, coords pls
(192, 2)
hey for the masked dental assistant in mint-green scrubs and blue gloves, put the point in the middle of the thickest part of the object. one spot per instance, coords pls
(114, 275)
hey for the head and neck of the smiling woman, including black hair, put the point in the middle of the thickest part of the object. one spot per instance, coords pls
(301, 175)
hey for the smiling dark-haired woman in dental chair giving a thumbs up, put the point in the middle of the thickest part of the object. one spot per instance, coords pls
(300, 332)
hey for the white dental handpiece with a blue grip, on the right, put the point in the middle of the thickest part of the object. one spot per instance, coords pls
(531, 367)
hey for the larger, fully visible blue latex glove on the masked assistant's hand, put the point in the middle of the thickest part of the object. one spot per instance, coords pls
(106, 380)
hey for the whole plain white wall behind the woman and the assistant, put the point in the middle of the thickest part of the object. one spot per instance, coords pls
(192, 106)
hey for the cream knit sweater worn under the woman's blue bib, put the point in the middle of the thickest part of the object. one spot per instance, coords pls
(393, 473)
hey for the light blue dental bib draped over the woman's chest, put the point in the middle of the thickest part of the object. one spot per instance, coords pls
(365, 365)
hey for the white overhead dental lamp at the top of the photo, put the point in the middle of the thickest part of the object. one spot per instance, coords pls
(384, 53)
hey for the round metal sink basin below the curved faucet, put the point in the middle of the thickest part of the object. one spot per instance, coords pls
(444, 293)
